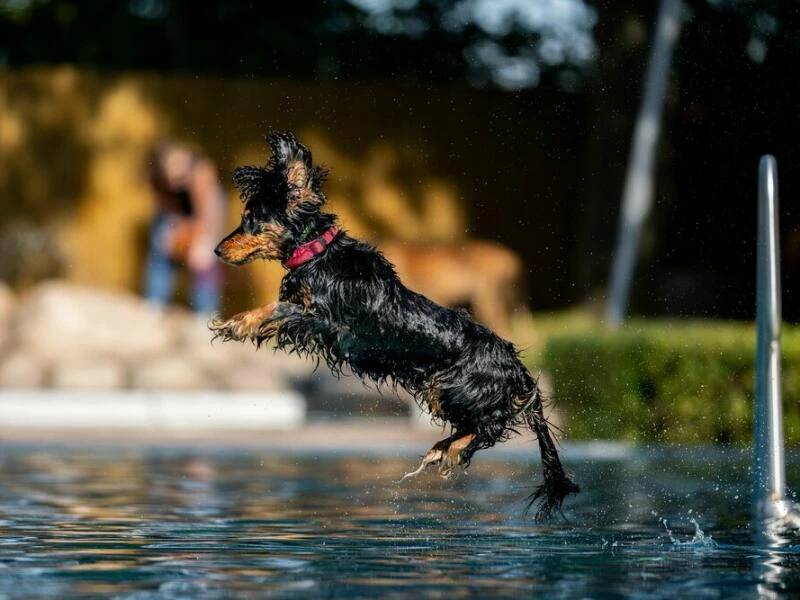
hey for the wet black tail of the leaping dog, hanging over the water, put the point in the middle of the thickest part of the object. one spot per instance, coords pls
(557, 482)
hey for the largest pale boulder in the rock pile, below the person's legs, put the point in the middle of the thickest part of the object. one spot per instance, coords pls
(61, 320)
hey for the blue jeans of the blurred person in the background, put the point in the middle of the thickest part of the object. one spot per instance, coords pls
(160, 272)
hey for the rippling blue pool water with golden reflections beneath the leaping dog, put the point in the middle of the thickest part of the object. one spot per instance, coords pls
(193, 523)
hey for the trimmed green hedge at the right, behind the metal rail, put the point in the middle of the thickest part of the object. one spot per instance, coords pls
(665, 382)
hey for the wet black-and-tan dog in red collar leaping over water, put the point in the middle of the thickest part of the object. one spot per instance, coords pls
(342, 301)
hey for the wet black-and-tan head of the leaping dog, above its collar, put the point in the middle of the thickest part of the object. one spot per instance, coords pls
(280, 200)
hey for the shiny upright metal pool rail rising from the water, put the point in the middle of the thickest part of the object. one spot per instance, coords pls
(773, 510)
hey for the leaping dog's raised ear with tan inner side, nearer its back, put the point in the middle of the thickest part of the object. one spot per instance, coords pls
(293, 159)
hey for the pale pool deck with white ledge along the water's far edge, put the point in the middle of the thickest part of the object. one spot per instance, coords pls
(258, 420)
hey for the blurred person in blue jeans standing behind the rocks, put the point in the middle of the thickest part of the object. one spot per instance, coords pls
(189, 218)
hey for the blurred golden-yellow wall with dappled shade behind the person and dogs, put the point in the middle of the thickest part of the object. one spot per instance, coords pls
(438, 166)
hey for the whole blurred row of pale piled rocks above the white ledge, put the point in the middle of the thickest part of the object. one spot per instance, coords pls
(68, 336)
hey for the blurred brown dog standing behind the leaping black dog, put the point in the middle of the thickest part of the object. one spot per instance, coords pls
(484, 277)
